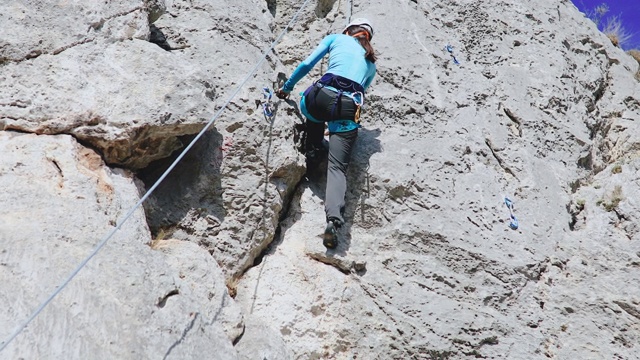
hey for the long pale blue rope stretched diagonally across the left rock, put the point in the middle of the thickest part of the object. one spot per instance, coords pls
(104, 241)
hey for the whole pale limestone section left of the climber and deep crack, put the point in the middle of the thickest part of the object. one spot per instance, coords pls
(131, 82)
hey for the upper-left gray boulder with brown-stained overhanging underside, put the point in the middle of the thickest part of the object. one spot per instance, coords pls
(160, 94)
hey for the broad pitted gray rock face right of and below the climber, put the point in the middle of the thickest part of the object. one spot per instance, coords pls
(537, 110)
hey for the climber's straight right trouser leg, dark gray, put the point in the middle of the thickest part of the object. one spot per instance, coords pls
(340, 147)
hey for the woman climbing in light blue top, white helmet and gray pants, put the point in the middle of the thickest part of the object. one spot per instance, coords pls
(335, 99)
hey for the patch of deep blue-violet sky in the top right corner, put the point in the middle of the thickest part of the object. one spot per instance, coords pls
(627, 10)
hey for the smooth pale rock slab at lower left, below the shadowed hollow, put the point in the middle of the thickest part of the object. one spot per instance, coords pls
(128, 302)
